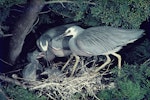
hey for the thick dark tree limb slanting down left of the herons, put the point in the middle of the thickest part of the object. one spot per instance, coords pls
(23, 28)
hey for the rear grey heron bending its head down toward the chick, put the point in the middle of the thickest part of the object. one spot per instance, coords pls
(51, 46)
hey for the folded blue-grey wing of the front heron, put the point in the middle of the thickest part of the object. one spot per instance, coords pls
(104, 39)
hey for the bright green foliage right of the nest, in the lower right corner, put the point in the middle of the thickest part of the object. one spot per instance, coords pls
(132, 84)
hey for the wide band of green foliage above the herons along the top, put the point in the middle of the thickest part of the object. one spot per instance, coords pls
(122, 13)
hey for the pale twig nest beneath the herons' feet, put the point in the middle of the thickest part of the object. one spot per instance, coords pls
(59, 85)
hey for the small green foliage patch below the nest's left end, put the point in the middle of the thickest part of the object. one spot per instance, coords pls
(18, 93)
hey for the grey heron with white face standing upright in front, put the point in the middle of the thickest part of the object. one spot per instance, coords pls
(100, 40)
